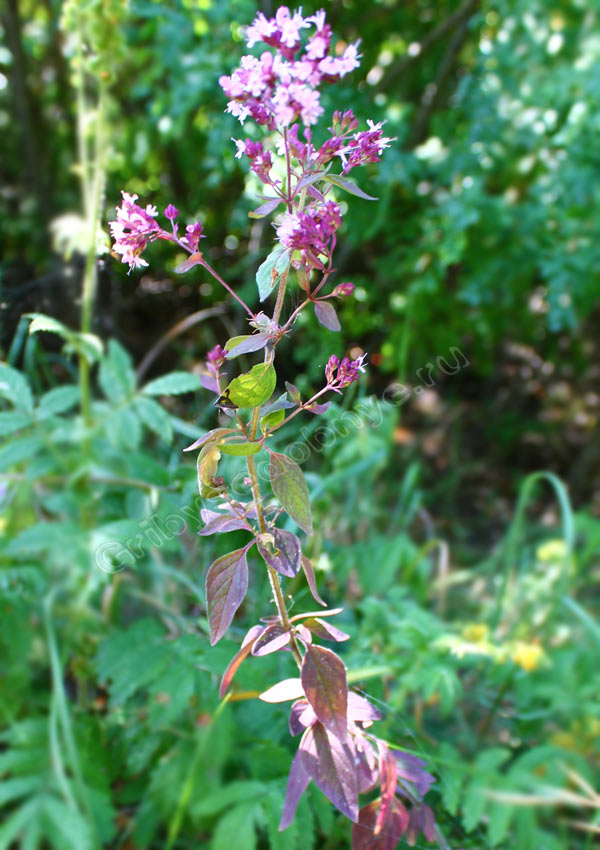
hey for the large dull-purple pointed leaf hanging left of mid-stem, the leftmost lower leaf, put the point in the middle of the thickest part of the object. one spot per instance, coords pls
(226, 586)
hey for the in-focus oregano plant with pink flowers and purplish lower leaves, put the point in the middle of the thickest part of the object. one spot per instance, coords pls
(279, 90)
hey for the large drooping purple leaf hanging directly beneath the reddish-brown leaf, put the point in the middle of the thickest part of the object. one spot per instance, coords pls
(330, 764)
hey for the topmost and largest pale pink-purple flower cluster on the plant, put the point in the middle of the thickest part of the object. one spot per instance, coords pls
(277, 89)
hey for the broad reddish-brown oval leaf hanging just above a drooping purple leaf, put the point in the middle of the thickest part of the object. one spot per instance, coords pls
(324, 681)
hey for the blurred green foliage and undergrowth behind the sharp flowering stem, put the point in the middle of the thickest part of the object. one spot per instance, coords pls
(471, 580)
